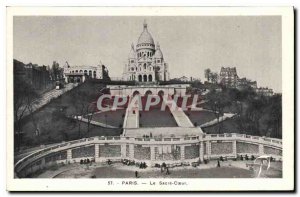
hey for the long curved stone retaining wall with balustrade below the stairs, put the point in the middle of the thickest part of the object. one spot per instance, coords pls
(150, 150)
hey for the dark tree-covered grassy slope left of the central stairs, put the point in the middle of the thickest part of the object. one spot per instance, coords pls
(54, 120)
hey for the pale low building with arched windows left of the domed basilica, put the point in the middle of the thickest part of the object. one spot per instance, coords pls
(81, 73)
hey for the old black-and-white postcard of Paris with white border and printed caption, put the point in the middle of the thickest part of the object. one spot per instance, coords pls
(150, 99)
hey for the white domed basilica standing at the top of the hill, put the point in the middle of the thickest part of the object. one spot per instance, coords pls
(146, 61)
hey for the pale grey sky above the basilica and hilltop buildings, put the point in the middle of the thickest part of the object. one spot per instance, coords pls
(190, 44)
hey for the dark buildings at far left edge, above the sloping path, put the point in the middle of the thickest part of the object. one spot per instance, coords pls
(36, 76)
